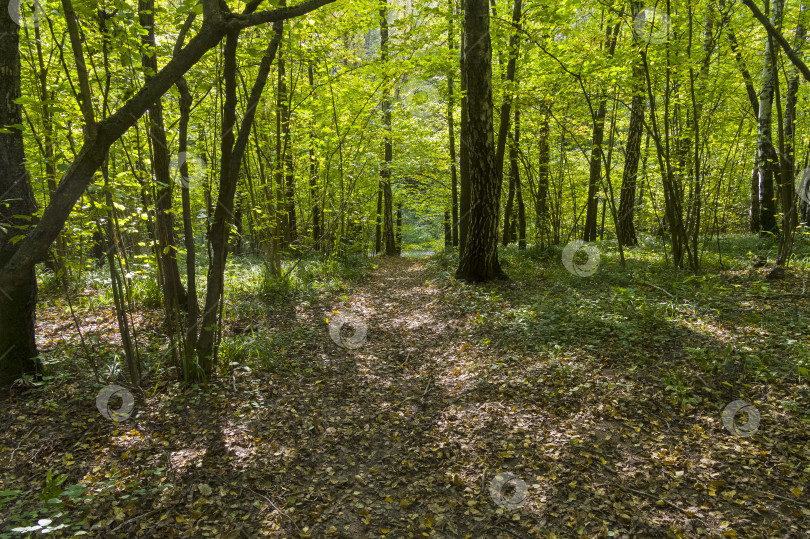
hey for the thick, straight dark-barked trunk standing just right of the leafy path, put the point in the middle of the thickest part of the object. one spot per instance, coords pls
(479, 260)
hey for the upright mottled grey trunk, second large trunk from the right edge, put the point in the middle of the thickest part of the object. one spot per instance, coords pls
(766, 153)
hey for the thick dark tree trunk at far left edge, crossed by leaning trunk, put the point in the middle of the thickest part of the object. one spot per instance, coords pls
(18, 302)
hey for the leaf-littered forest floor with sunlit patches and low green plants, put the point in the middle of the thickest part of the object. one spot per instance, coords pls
(602, 396)
